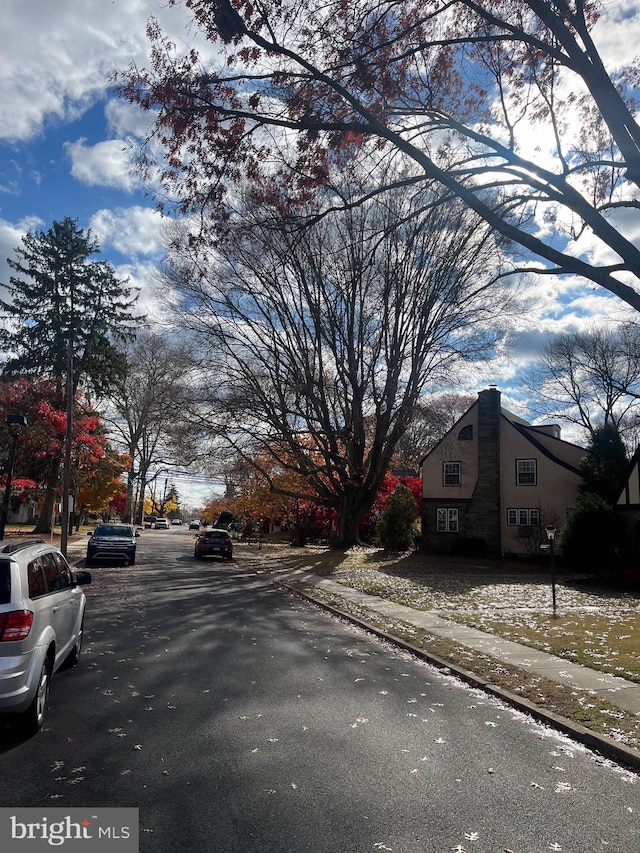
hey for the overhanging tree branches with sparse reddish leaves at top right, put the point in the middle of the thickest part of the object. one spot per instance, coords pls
(508, 104)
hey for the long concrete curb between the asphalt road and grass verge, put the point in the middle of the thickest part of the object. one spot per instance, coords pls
(602, 744)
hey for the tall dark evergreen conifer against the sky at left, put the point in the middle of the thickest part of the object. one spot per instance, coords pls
(59, 298)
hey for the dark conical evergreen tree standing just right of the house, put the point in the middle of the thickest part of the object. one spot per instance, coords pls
(604, 466)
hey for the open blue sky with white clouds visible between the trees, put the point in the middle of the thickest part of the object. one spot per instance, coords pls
(67, 148)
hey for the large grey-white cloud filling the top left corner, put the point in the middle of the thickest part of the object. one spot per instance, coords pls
(58, 56)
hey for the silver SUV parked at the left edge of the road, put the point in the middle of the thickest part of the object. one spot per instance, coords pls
(41, 624)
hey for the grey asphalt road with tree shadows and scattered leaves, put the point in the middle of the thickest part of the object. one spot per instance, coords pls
(239, 719)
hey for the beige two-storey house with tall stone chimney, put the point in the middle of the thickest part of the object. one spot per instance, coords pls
(494, 482)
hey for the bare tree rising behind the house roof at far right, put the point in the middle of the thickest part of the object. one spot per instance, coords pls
(589, 378)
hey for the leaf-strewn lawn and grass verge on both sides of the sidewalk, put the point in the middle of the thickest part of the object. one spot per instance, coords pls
(594, 626)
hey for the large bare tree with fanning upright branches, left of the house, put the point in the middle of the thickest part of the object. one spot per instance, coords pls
(321, 341)
